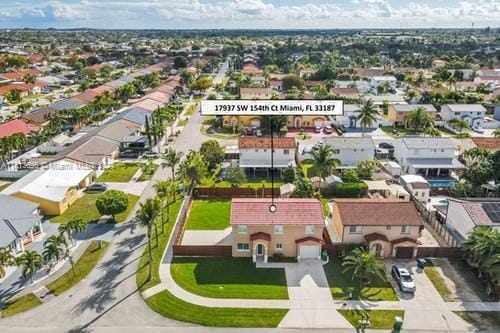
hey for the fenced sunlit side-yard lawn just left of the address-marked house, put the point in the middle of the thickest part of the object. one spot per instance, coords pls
(209, 214)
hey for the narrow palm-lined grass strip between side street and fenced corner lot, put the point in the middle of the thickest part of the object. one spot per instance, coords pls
(142, 271)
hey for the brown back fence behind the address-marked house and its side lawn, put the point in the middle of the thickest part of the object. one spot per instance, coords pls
(236, 192)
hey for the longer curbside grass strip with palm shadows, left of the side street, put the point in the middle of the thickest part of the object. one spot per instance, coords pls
(81, 269)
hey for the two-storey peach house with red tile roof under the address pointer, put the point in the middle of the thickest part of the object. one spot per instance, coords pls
(294, 229)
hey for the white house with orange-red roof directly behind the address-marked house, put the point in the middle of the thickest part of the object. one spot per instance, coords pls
(255, 152)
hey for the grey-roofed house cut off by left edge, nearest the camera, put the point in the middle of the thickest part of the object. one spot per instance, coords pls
(20, 222)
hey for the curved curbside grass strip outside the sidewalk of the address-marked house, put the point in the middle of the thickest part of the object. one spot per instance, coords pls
(170, 306)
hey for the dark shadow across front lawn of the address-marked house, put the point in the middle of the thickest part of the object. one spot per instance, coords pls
(222, 270)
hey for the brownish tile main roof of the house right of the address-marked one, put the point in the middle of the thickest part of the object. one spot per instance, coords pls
(376, 212)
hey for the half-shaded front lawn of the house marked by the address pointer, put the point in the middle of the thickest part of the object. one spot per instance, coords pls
(221, 277)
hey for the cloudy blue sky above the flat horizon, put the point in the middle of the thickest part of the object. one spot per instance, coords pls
(248, 14)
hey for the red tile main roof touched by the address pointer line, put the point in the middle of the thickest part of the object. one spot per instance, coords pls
(252, 211)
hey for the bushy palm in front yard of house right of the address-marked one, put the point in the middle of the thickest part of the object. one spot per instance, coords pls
(362, 264)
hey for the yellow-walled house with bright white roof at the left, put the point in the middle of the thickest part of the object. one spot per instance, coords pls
(54, 187)
